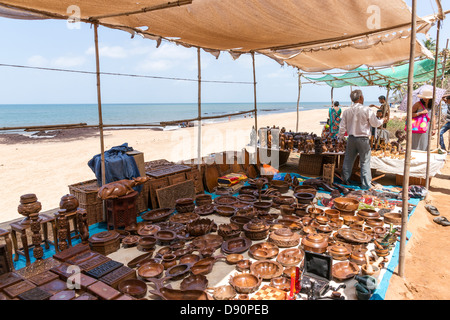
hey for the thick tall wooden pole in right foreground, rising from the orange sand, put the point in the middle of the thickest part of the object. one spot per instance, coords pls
(405, 193)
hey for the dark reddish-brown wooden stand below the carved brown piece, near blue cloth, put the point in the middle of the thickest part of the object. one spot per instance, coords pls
(121, 212)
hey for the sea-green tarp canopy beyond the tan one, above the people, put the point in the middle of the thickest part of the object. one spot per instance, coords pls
(386, 77)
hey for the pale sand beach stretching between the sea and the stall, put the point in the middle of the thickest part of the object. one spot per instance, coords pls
(47, 167)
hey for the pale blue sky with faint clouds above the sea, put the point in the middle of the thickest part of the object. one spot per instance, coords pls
(51, 43)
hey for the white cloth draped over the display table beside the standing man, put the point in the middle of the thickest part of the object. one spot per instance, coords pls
(418, 164)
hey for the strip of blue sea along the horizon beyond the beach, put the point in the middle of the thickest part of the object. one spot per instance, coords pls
(24, 115)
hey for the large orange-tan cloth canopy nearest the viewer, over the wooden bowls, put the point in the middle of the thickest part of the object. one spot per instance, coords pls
(364, 32)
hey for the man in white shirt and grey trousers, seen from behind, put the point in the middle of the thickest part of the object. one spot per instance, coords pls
(357, 122)
